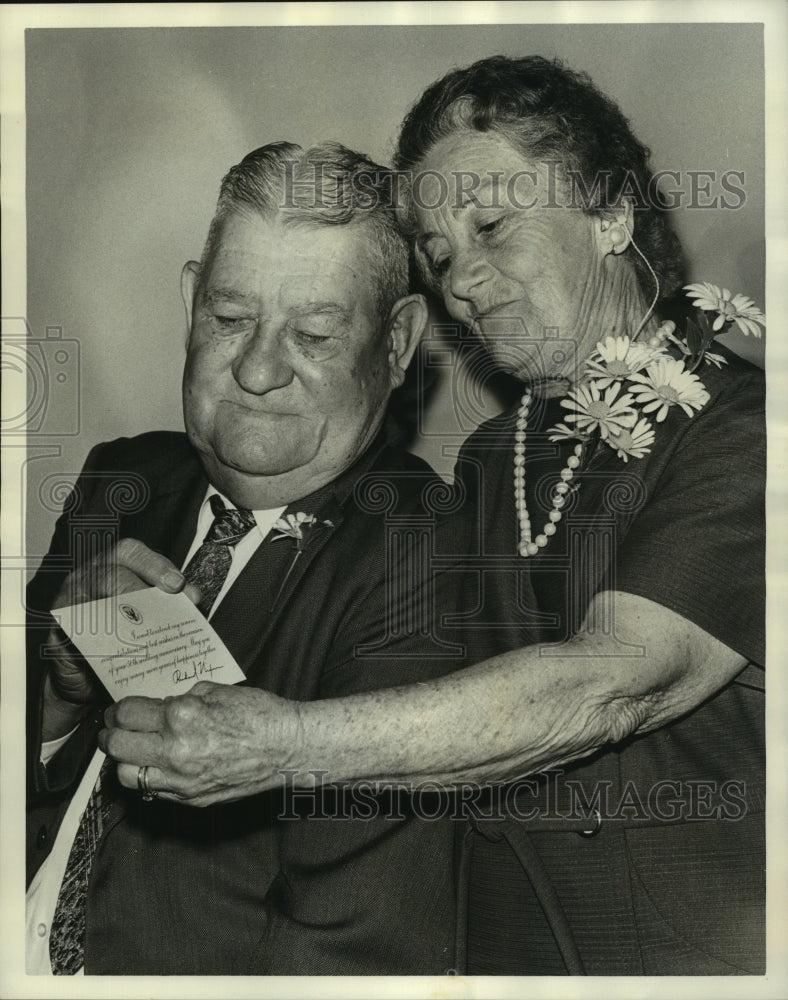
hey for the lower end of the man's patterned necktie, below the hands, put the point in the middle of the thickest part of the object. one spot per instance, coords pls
(67, 936)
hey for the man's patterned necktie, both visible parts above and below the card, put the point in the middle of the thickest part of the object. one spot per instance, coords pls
(208, 570)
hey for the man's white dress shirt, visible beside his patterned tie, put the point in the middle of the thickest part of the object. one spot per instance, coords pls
(42, 895)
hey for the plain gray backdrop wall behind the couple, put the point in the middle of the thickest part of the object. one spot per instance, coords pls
(130, 130)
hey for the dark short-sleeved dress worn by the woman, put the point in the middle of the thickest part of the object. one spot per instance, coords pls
(672, 882)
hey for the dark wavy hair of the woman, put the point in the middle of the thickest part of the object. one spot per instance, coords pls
(547, 111)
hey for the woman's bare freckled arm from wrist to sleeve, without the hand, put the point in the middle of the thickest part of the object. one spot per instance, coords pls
(526, 710)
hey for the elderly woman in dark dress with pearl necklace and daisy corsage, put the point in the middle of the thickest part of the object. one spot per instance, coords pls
(616, 595)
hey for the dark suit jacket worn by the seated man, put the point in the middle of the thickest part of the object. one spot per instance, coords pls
(179, 890)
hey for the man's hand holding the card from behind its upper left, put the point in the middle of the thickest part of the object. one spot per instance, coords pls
(70, 684)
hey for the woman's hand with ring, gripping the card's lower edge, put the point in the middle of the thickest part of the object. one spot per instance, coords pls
(218, 743)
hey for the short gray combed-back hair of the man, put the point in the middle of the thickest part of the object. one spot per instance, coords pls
(325, 185)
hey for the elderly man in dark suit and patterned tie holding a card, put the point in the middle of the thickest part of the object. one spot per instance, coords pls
(300, 326)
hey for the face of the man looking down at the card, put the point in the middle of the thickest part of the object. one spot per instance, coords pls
(287, 371)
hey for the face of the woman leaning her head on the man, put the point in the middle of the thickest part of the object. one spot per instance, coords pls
(509, 256)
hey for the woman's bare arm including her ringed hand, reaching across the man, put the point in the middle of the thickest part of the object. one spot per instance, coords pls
(516, 714)
